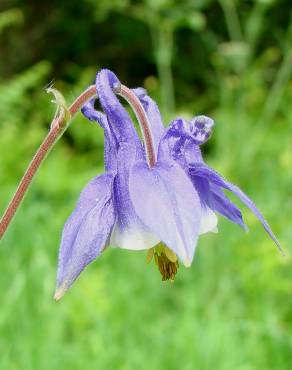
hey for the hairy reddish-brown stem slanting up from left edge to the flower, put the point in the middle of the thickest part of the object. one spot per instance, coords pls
(56, 131)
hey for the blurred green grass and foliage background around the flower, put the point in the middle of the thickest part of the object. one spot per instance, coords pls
(228, 59)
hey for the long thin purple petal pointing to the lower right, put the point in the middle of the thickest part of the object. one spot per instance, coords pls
(214, 178)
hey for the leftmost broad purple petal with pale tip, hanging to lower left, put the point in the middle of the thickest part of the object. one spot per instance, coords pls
(86, 232)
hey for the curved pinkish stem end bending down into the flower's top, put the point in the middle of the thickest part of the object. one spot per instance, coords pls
(141, 115)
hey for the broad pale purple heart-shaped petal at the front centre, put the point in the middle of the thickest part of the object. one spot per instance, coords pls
(166, 201)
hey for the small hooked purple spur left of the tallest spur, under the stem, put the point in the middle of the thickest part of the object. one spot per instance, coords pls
(110, 143)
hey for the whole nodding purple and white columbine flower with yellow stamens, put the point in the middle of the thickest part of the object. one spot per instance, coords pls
(162, 206)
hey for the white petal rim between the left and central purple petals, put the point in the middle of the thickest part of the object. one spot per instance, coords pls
(133, 238)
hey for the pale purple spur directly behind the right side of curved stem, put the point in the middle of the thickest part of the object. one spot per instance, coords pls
(153, 114)
